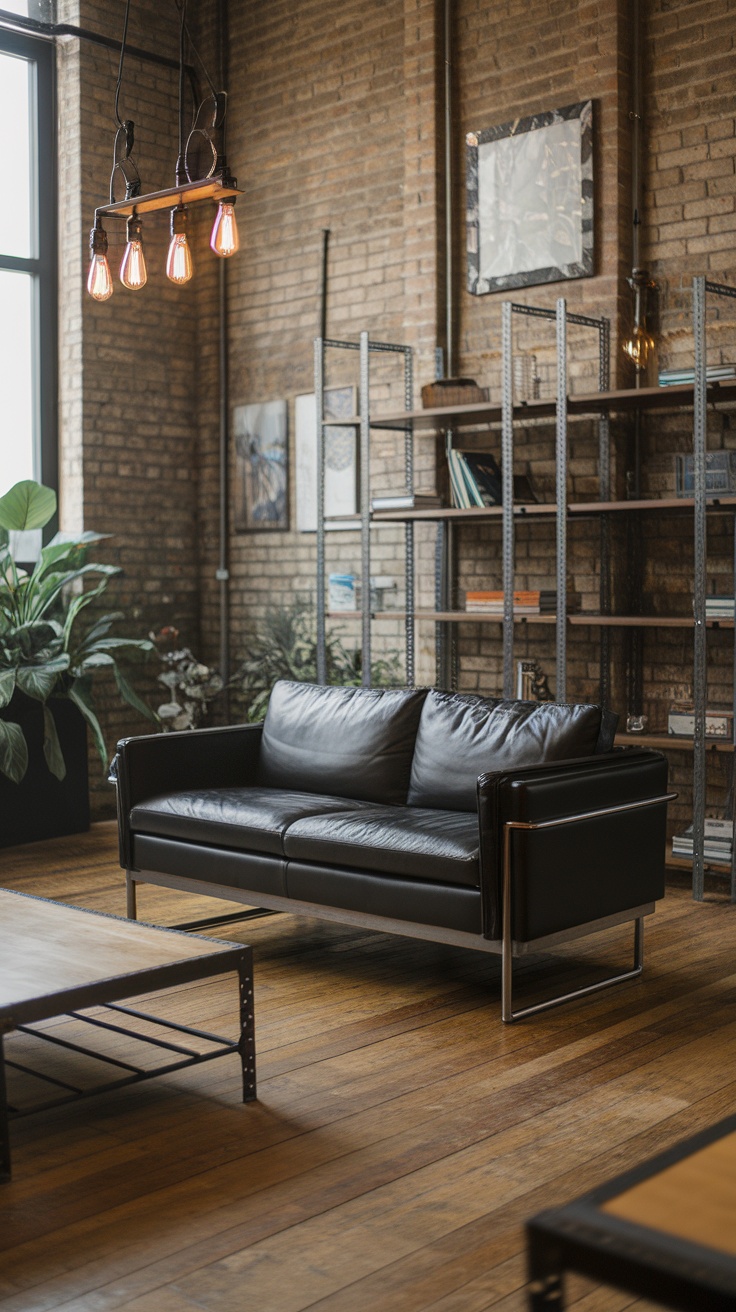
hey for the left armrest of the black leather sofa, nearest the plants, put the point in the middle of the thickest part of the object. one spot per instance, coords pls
(167, 763)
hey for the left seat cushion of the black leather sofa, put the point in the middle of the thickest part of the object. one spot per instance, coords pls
(247, 819)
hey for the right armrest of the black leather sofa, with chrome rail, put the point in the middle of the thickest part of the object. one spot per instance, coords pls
(584, 871)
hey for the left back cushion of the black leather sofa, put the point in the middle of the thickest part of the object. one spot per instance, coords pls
(350, 742)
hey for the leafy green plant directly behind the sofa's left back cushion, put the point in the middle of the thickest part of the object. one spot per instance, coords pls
(287, 649)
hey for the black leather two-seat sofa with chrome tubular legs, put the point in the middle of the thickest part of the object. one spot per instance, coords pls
(501, 826)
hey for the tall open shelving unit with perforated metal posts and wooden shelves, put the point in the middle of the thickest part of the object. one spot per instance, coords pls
(608, 510)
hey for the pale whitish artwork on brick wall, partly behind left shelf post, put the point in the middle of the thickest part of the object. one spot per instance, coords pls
(340, 460)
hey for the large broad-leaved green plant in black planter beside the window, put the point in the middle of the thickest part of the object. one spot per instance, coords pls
(48, 665)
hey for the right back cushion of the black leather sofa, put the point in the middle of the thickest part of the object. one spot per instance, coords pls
(462, 737)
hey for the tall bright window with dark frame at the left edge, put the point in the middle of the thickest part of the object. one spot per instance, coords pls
(28, 263)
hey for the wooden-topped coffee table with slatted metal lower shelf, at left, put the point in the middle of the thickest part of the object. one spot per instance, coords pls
(57, 961)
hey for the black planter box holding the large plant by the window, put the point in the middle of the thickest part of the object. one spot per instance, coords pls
(43, 806)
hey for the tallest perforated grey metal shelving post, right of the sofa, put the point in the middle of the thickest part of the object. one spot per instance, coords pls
(700, 668)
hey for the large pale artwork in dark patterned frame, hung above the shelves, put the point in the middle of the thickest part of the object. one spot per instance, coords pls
(531, 201)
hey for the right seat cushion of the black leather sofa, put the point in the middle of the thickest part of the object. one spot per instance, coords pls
(423, 844)
